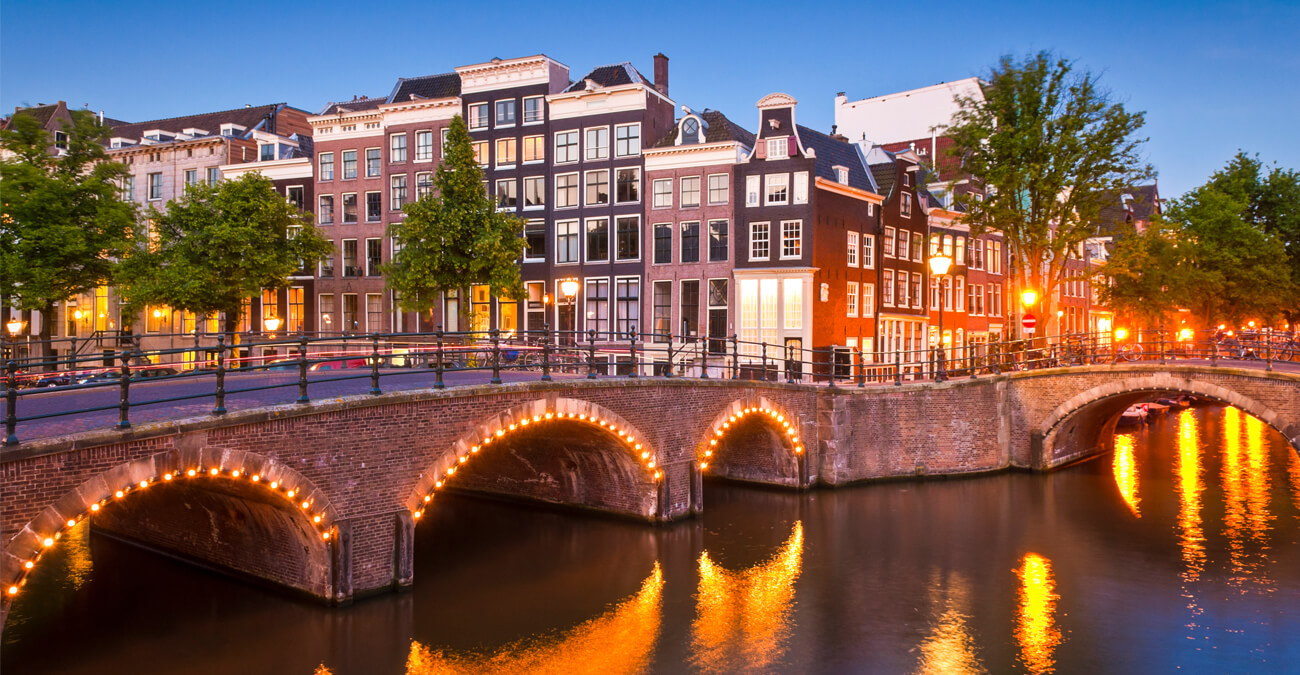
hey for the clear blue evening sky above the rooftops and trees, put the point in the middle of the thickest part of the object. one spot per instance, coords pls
(1212, 77)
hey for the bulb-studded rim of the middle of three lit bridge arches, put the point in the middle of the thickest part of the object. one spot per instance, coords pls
(500, 429)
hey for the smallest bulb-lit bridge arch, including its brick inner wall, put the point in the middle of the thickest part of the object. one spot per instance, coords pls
(755, 421)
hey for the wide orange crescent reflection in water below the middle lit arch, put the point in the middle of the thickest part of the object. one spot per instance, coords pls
(621, 641)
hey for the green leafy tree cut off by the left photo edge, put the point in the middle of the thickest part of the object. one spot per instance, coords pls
(64, 224)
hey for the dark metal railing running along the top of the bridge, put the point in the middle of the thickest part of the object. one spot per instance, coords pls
(254, 366)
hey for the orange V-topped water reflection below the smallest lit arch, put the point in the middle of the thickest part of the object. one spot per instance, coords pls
(744, 618)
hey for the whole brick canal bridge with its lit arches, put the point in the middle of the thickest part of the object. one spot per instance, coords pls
(324, 497)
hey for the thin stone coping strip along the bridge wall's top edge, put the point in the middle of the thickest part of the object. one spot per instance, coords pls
(176, 427)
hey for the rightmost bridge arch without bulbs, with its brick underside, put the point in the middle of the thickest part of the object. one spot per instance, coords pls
(1076, 427)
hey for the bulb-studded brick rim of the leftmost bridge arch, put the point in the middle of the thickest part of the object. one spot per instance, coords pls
(237, 474)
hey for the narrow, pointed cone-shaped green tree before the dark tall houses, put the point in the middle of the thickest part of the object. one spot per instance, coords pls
(454, 239)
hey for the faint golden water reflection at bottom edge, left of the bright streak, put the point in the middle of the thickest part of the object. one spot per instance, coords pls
(951, 644)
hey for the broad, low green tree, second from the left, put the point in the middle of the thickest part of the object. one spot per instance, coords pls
(219, 245)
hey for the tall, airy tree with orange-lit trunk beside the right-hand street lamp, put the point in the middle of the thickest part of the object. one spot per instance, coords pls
(1051, 149)
